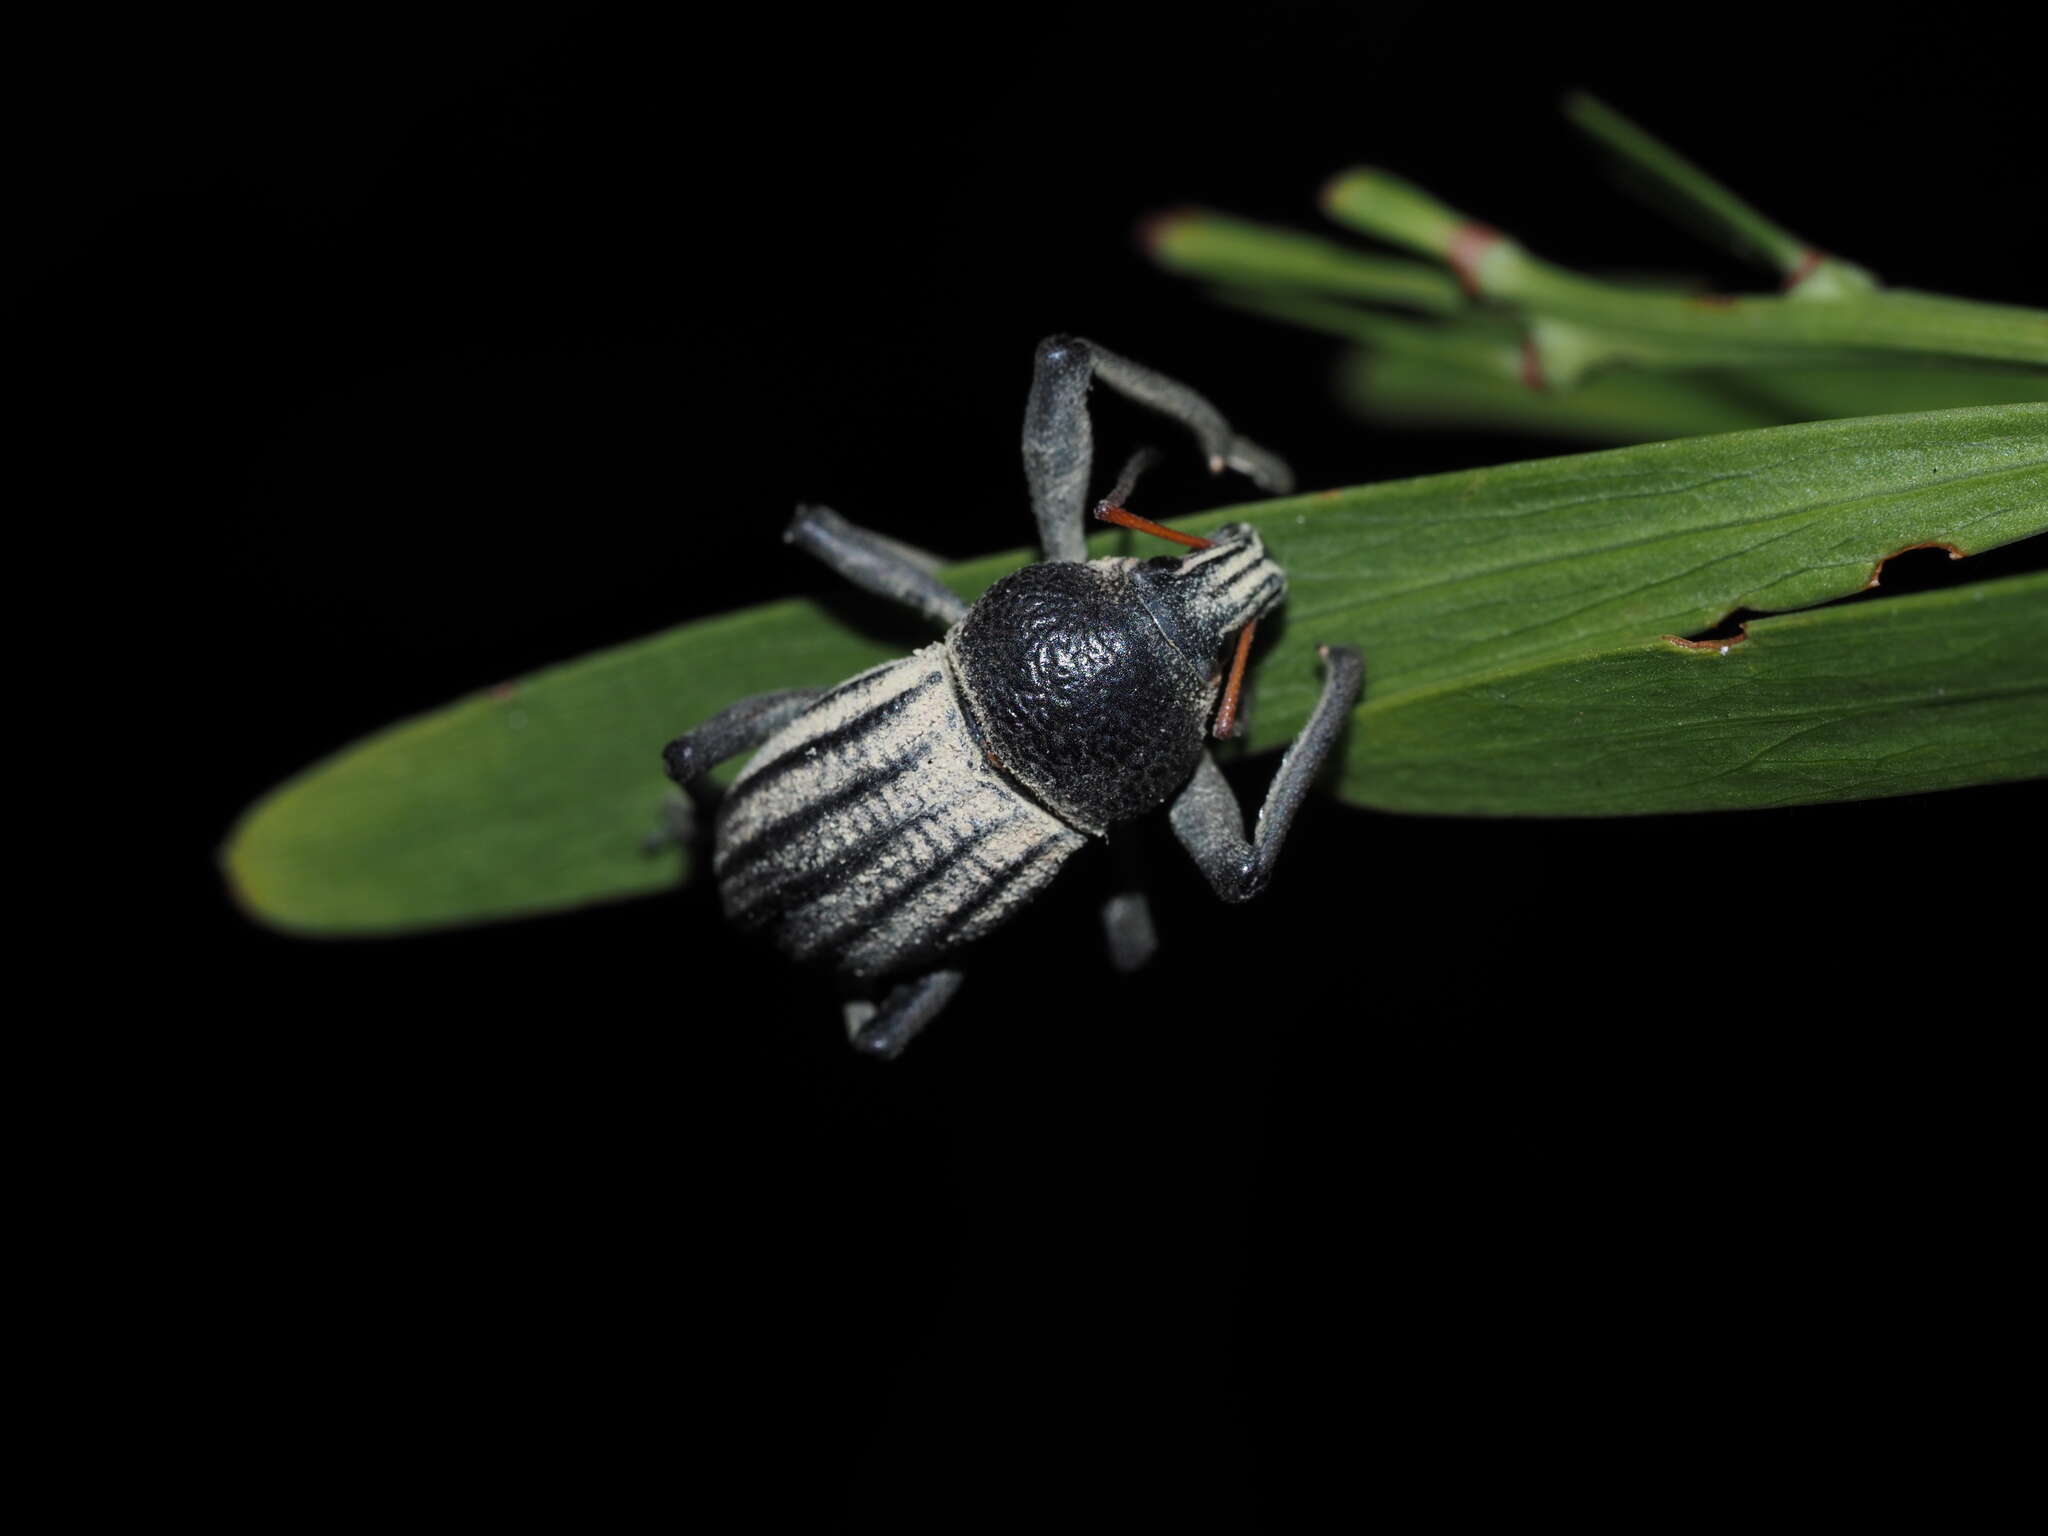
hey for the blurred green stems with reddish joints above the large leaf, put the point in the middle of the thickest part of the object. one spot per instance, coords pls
(1492, 335)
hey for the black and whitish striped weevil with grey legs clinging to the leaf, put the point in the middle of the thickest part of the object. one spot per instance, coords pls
(896, 818)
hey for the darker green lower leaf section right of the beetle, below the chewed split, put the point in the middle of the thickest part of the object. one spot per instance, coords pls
(1844, 703)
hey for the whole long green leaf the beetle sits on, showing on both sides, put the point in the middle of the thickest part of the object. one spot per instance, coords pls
(1504, 615)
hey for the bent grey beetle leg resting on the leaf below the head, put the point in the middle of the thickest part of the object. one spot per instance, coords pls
(1207, 818)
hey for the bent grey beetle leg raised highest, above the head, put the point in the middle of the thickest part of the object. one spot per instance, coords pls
(1060, 443)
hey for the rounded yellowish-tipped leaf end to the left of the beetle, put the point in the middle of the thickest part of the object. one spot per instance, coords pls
(525, 798)
